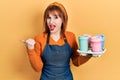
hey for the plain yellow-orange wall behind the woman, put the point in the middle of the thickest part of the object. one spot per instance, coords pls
(22, 19)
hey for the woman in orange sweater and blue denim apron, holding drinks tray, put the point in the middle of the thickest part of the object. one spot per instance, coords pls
(51, 51)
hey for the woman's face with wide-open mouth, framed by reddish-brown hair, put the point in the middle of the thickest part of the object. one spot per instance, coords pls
(54, 22)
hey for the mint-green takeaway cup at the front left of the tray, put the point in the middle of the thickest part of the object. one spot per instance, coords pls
(83, 43)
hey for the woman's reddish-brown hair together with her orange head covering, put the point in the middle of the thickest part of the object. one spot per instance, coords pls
(59, 8)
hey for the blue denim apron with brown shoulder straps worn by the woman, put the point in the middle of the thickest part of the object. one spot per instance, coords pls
(56, 61)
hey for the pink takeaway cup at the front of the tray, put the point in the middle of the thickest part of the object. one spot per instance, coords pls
(96, 44)
